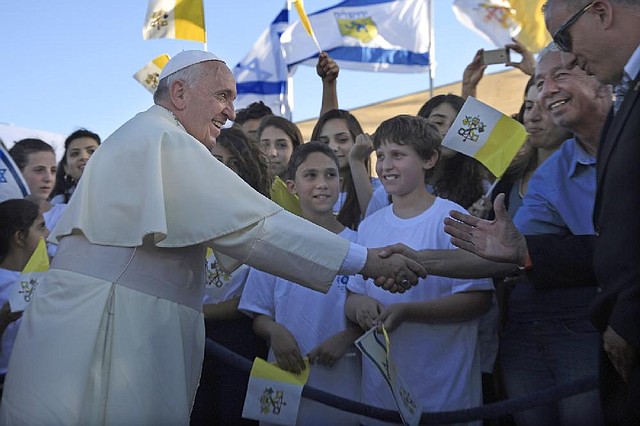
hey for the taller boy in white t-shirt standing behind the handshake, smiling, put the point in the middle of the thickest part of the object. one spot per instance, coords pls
(433, 326)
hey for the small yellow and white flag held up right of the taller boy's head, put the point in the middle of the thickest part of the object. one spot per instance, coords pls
(485, 134)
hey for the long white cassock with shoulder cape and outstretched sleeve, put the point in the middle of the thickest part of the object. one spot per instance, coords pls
(115, 333)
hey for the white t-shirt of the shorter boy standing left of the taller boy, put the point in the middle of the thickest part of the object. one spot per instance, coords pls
(311, 317)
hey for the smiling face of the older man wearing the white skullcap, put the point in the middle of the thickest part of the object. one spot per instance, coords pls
(209, 103)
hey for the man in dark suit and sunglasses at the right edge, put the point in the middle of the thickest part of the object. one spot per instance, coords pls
(603, 38)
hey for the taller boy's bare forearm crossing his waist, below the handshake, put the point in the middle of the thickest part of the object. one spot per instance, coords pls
(454, 308)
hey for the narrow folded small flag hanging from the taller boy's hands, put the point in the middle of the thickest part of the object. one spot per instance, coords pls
(375, 345)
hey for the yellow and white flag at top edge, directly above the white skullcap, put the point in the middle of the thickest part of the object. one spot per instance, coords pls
(182, 19)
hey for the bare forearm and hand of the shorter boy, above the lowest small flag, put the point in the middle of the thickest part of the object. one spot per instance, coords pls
(283, 344)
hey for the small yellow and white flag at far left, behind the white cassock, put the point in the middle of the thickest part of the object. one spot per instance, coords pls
(35, 268)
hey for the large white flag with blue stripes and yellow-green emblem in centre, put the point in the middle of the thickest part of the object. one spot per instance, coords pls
(368, 35)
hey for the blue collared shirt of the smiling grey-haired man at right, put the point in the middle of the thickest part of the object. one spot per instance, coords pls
(561, 194)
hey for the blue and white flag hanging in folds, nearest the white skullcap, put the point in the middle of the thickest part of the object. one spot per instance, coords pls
(262, 75)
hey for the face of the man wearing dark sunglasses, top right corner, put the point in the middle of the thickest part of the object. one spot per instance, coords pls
(590, 47)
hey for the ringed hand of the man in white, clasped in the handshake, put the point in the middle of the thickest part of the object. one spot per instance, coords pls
(400, 273)
